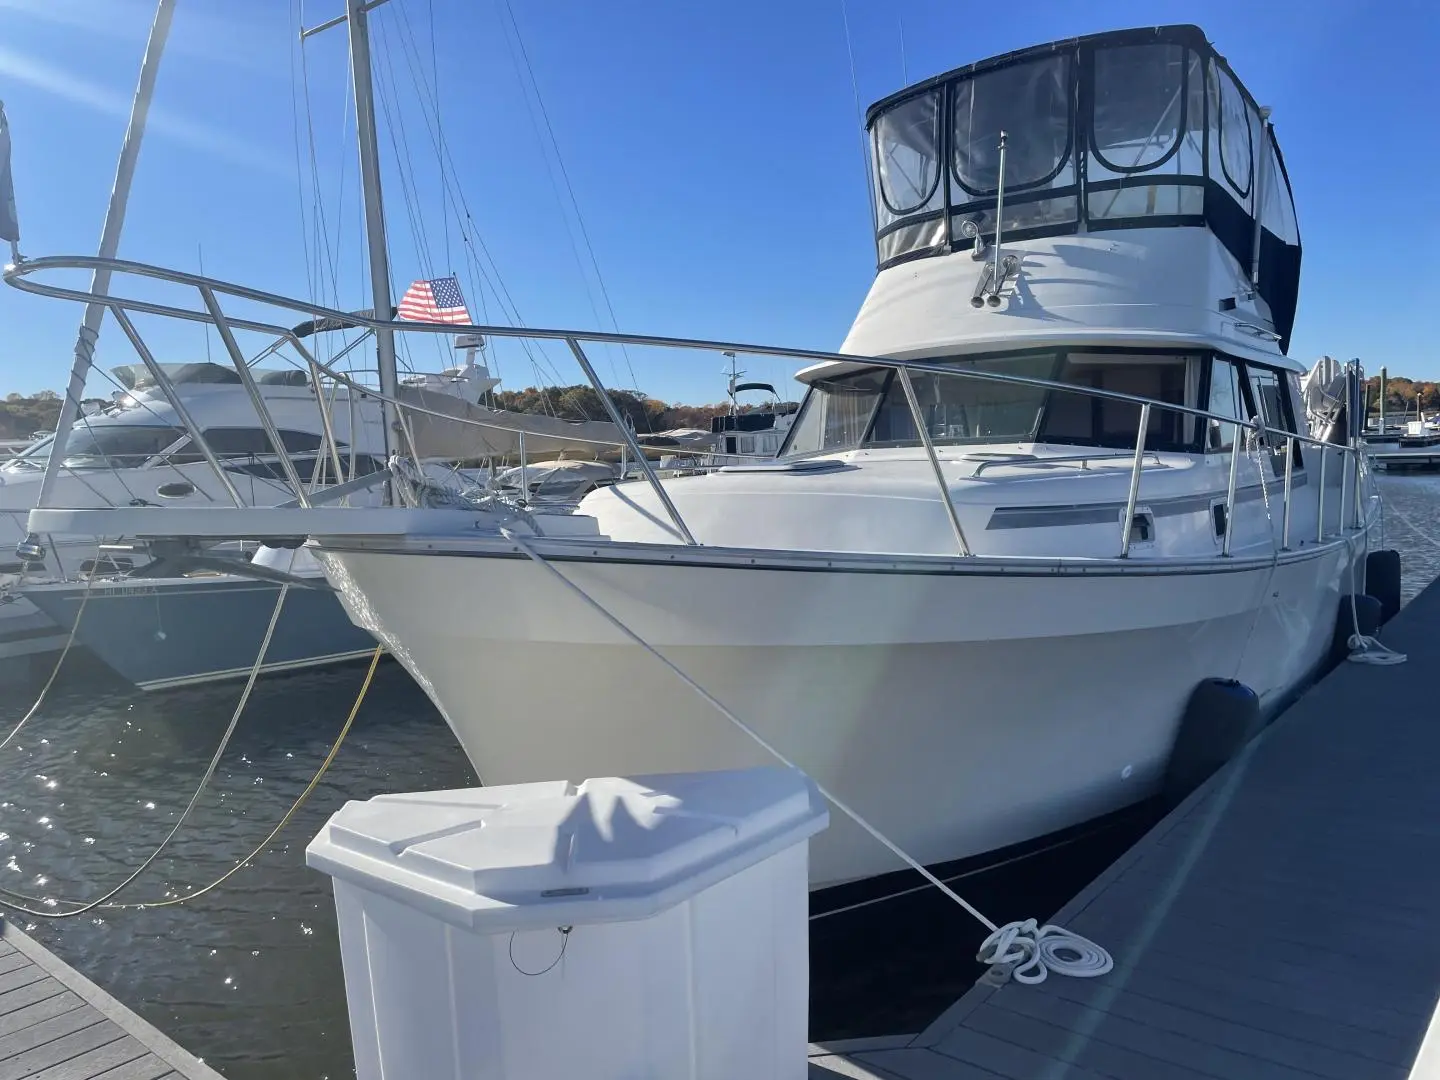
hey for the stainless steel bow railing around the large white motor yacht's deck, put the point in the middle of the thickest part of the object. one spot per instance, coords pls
(211, 290)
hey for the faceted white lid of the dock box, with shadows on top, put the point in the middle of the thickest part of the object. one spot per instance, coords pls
(548, 855)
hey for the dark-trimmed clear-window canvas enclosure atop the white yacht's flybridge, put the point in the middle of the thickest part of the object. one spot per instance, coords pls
(1125, 130)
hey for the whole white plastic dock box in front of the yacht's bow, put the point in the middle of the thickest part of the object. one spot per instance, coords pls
(654, 927)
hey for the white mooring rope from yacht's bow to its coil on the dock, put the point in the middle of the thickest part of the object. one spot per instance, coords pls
(1030, 948)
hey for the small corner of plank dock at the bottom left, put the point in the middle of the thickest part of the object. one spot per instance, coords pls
(55, 1025)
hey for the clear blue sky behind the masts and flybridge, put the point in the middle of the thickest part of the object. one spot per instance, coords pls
(712, 149)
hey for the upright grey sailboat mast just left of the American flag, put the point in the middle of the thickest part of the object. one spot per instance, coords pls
(359, 27)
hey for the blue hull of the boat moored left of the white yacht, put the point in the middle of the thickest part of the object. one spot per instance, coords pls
(174, 633)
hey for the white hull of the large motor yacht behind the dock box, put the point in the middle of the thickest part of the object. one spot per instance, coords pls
(957, 711)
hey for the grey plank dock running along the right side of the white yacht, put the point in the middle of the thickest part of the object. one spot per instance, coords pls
(1279, 925)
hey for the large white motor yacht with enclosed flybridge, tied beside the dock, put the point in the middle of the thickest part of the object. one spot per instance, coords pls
(1059, 474)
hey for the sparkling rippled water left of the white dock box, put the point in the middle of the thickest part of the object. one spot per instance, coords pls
(248, 976)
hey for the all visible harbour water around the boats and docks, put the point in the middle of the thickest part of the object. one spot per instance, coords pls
(248, 976)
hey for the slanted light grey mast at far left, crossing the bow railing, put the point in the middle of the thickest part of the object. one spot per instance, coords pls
(109, 246)
